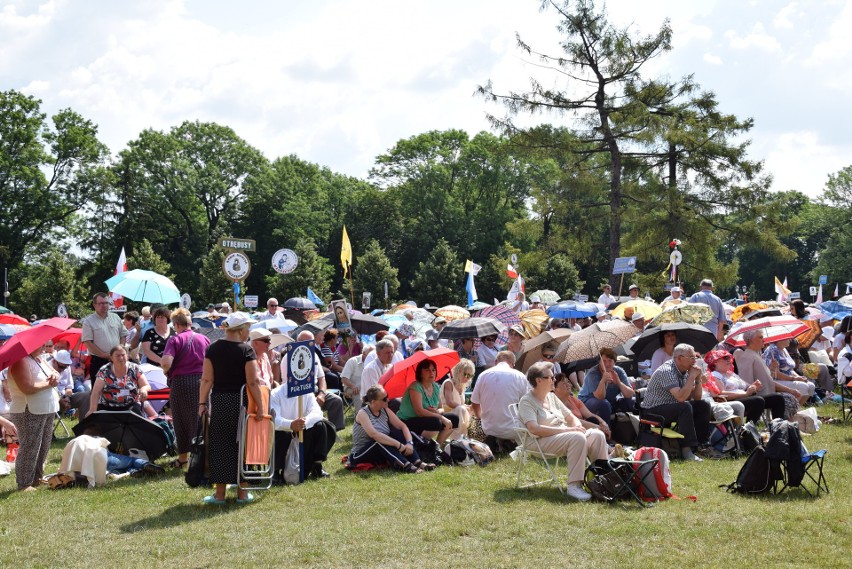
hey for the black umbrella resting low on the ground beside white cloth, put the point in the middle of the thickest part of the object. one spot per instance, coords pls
(125, 430)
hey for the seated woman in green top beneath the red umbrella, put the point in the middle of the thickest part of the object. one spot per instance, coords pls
(421, 409)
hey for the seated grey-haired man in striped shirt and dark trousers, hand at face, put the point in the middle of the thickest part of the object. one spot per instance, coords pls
(674, 392)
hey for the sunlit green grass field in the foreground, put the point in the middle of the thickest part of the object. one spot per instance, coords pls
(451, 517)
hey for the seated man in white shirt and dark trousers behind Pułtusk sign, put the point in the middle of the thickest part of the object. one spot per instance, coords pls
(319, 435)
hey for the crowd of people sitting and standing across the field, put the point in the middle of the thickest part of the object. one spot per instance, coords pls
(571, 414)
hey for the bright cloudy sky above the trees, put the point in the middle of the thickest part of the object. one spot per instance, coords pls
(338, 83)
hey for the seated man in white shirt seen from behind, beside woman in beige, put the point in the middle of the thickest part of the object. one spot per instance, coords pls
(495, 390)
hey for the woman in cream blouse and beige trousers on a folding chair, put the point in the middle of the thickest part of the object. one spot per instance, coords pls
(558, 430)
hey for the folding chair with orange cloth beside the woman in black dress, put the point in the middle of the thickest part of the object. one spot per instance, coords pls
(256, 441)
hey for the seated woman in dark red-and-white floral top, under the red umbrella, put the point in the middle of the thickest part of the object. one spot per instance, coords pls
(120, 385)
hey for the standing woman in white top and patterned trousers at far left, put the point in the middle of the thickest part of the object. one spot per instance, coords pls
(34, 405)
